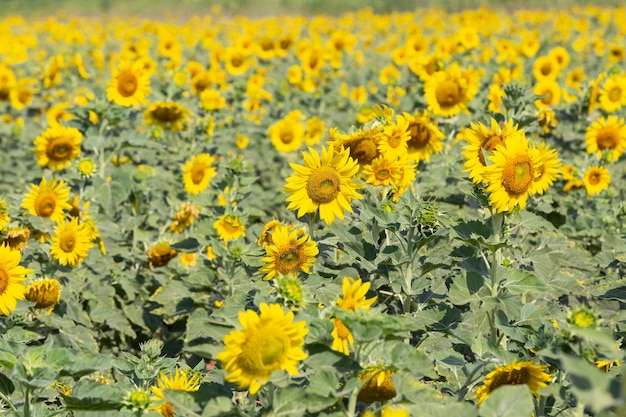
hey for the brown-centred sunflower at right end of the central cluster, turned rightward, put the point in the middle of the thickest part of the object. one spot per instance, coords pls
(424, 136)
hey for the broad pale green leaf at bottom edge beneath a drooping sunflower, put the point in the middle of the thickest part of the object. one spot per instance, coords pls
(508, 401)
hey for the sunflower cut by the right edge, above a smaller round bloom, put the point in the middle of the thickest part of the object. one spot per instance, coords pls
(606, 134)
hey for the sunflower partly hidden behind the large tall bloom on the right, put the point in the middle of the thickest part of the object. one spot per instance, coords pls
(485, 139)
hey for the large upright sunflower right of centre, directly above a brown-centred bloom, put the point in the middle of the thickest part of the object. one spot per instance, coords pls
(446, 92)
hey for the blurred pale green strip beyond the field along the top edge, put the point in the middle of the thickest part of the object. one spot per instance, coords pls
(267, 7)
